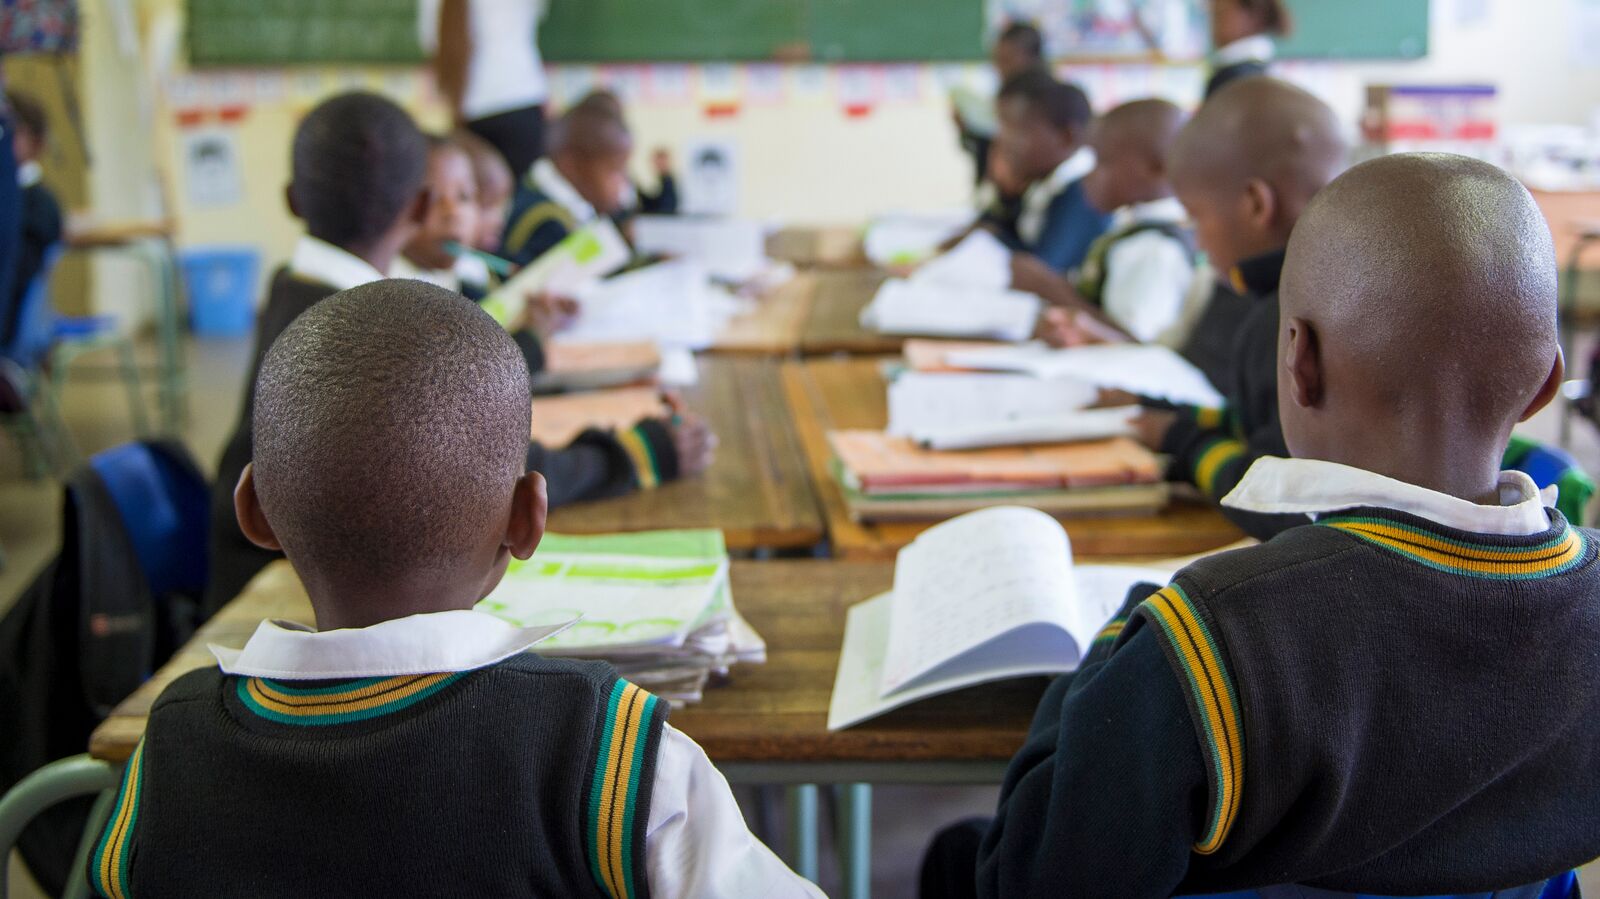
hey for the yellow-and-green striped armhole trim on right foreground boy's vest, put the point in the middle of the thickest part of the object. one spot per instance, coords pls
(1215, 706)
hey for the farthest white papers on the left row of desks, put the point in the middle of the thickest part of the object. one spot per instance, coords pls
(730, 250)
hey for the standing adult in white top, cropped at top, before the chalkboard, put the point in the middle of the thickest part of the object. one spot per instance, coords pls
(487, 65)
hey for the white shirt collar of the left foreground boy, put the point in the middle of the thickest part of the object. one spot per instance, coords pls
(422, 644)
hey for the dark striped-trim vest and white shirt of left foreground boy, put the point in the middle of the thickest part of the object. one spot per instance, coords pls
(428, 756)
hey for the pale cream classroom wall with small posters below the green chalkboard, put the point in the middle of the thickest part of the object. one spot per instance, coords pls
(817, 145)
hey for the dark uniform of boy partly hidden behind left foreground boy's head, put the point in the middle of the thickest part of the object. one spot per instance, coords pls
(594, 466)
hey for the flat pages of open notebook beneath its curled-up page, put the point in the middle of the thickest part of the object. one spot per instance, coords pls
(857, 697)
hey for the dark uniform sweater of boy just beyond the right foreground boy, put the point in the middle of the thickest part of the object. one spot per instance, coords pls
(1214, 449)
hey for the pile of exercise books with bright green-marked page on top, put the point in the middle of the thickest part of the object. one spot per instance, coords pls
(655, 604)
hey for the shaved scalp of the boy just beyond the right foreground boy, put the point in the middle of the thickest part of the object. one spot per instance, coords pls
(1262, 129)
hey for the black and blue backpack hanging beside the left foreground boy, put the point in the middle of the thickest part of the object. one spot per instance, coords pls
(100, 620)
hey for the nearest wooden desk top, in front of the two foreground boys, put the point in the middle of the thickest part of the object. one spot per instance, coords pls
(769, 713)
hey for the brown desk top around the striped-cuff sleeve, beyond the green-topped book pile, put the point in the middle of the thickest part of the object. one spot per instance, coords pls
(758, 490)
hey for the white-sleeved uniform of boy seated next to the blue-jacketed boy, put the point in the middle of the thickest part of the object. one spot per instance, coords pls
(1142, 270)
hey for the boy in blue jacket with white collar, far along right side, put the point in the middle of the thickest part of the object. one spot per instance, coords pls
(1044, 124)
